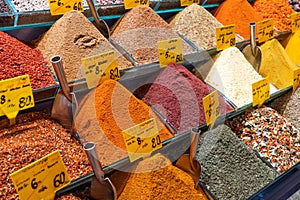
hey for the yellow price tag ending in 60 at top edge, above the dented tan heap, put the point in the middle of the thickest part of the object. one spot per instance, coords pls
(60, 7)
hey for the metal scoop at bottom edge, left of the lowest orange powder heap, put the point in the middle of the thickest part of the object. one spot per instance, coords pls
(101, 188)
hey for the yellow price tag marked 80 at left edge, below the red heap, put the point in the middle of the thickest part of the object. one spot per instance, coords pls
(15, 95)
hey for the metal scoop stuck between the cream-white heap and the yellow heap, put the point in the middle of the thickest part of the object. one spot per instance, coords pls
(252, 52)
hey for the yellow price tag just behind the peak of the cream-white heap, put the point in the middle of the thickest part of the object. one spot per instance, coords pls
(225, 36)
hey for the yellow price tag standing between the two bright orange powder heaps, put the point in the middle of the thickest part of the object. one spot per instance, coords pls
(142, 139)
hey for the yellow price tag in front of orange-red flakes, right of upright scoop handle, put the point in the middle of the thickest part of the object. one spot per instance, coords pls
(265, 30)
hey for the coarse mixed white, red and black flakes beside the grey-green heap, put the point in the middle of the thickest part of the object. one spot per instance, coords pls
(268, 133)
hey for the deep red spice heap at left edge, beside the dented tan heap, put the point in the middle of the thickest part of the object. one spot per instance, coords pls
(17, 59)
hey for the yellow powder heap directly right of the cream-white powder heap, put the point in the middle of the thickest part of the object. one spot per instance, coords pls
(276, 64)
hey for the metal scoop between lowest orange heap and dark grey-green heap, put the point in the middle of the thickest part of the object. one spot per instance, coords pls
(187, 162)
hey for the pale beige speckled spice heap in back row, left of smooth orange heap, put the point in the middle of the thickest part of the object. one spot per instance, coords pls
(197, 25)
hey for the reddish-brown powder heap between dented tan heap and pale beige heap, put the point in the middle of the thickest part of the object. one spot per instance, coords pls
(139, 30)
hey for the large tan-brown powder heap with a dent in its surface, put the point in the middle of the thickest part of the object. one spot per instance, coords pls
(74, 37)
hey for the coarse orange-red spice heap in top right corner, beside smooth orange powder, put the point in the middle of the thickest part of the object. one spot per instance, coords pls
(279, 10)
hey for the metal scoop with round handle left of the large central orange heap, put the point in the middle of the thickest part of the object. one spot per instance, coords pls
(62, 106)
